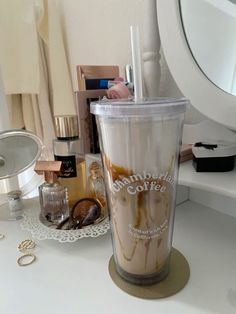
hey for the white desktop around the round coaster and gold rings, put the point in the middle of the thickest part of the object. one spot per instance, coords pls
(73, 277)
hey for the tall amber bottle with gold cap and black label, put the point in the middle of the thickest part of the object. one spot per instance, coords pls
(68, 149)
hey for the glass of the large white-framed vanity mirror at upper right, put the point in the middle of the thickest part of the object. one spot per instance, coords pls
(210, 29)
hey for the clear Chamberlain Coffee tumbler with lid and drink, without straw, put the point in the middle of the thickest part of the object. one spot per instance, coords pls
(140, 143)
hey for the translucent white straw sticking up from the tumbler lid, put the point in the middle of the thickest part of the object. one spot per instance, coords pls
(137, 62)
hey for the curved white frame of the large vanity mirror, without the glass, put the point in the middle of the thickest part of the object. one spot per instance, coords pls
(206, 97)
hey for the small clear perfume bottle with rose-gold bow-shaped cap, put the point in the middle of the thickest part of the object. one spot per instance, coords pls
(52, 195)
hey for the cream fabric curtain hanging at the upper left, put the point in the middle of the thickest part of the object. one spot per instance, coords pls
(34, 65)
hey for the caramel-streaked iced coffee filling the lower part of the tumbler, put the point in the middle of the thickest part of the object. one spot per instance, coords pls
(140, 208)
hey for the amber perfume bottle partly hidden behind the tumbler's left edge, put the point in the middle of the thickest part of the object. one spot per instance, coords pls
(96, 184)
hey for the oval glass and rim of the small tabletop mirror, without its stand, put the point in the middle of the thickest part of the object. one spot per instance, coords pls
(18, 151)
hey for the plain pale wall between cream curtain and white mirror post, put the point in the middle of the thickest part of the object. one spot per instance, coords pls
(97, 31)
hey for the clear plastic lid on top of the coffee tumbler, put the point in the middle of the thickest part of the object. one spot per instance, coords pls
(144, 107)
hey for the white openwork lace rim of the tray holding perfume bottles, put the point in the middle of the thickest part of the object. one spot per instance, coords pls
(32, 223)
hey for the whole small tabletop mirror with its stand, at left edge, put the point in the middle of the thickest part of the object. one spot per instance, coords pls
(19, 150)
